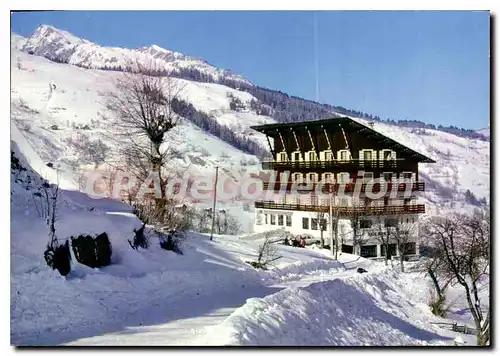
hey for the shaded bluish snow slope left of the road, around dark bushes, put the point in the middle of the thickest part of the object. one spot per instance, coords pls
(140, 288)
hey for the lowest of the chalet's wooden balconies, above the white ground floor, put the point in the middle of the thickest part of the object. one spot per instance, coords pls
(346, 211)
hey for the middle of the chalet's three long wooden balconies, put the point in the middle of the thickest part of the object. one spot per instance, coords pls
(348, 188)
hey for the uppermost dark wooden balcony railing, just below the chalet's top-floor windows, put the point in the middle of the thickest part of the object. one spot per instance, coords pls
(347, 165)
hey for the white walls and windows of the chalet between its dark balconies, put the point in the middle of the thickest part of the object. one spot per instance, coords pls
(300, 223)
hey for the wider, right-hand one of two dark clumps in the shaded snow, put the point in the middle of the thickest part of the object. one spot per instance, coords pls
(92, 252)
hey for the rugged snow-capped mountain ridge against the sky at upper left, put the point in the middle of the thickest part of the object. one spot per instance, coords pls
(61, 46)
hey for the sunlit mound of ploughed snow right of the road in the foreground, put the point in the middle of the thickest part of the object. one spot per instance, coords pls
(355, 311)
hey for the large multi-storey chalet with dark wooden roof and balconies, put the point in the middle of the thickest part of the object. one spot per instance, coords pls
(366, 181)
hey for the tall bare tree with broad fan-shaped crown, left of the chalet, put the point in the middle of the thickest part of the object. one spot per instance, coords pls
(142, 115)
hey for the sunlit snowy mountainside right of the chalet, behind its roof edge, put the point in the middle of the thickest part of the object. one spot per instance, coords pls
(461, 164)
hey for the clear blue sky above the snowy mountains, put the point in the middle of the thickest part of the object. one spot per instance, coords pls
(429, 66)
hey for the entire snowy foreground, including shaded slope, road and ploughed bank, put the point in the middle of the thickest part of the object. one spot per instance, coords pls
(207, 296)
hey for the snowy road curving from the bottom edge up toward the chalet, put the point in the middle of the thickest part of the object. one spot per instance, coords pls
(190, 319)
